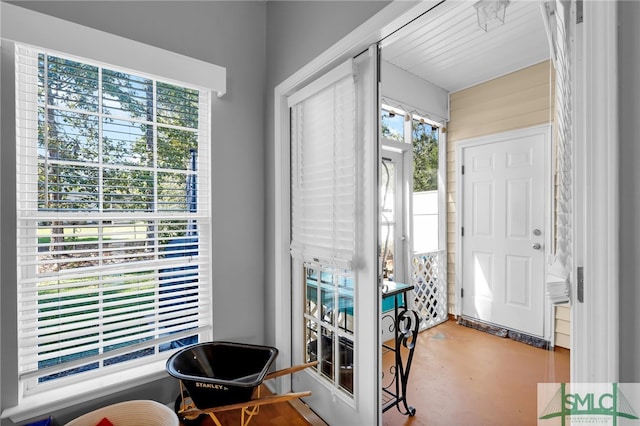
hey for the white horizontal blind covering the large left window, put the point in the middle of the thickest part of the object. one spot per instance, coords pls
(113, 223)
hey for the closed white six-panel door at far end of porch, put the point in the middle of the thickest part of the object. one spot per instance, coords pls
(504, 230)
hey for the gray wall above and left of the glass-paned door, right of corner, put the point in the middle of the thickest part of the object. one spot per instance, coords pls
(297, 32)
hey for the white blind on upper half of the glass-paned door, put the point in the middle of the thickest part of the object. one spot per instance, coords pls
(323, 180)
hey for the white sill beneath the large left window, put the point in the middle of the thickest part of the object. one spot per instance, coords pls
(47, 402)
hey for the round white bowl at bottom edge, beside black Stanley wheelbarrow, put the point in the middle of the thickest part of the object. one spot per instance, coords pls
(130, 413)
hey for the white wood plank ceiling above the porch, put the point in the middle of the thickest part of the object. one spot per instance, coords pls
(447, 47)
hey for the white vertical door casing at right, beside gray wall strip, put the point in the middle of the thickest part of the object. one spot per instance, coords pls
(595, 338)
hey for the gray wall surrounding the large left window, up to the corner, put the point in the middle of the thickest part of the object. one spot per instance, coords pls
(230, 34)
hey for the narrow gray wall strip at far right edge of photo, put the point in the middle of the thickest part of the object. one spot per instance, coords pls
(629, 110)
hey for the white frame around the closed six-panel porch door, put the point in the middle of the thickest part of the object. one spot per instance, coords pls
(544, 130)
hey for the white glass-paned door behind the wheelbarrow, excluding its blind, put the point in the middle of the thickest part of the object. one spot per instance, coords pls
(335, 310)
